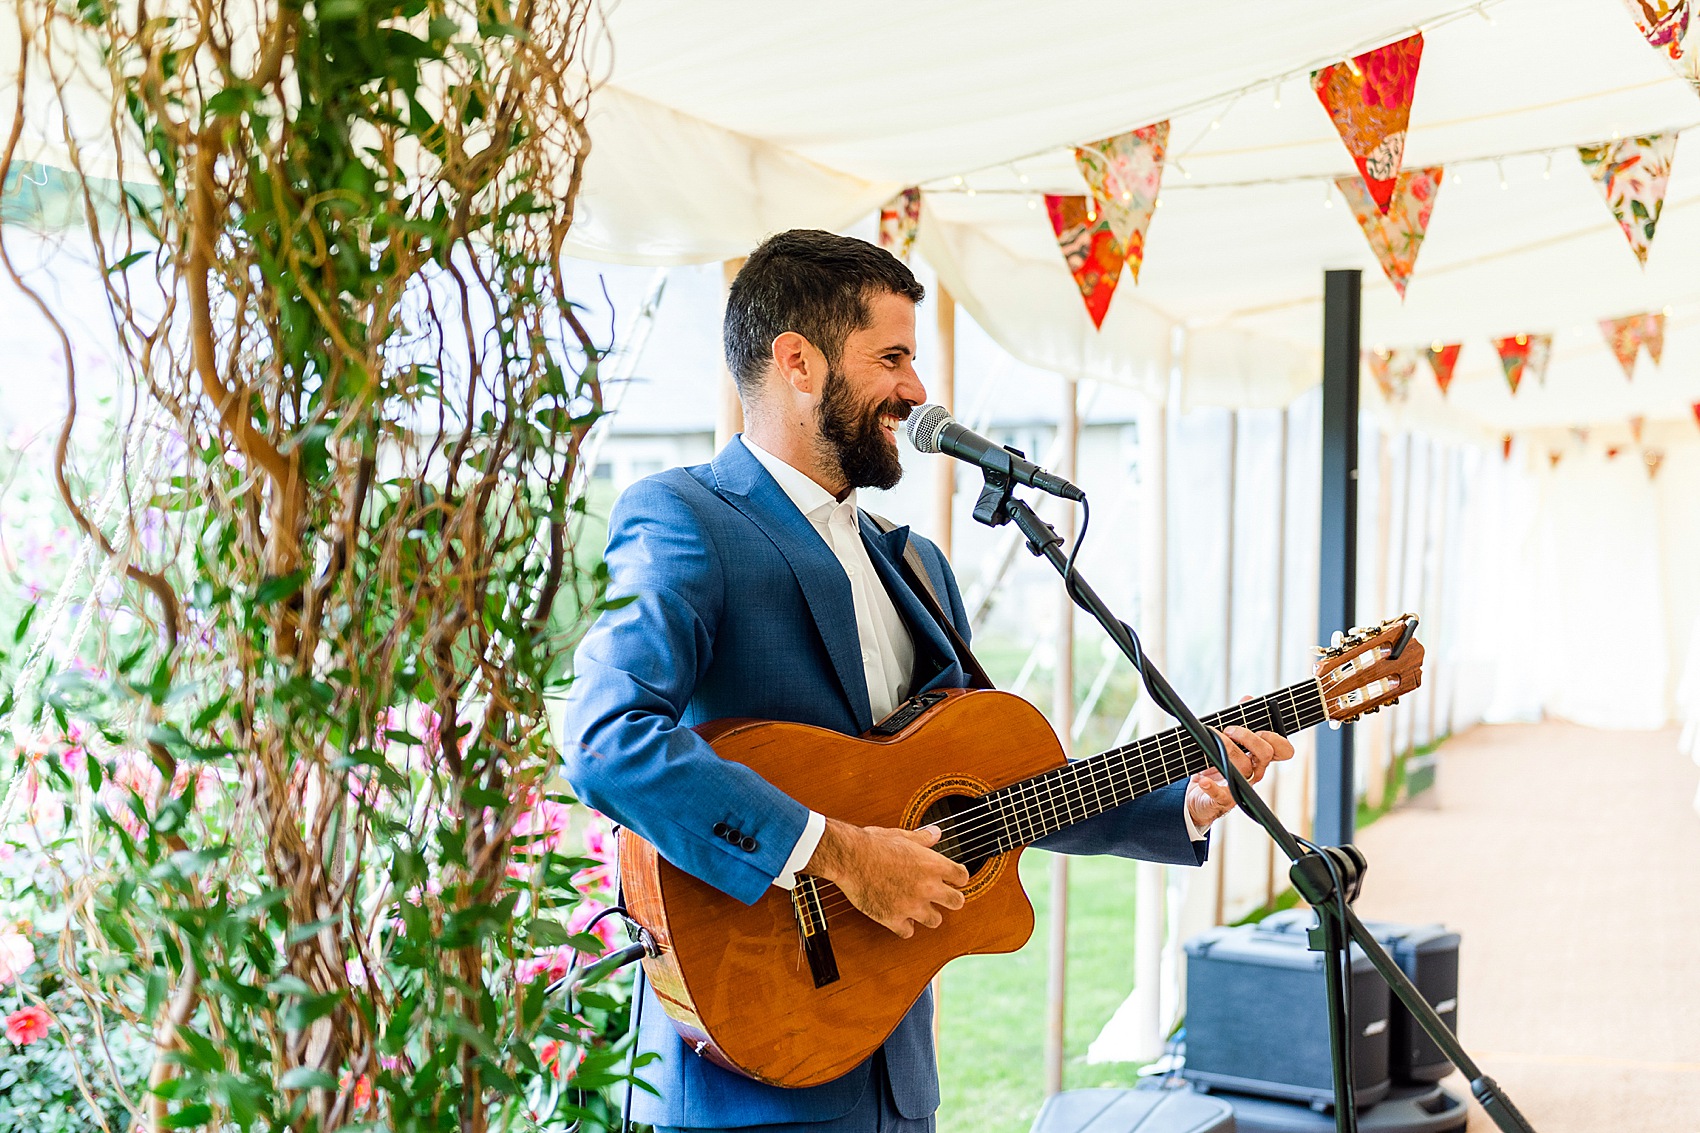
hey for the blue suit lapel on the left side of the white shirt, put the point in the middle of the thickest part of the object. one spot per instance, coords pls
(752, 491)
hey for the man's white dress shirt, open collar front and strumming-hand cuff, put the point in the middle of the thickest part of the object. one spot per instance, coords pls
(888, 651)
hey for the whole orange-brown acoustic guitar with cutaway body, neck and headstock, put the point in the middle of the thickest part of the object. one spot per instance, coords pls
(800, 988)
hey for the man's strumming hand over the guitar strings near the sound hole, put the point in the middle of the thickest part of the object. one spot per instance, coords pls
(893, 877)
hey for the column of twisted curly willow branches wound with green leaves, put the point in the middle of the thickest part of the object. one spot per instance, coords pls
(356, 550)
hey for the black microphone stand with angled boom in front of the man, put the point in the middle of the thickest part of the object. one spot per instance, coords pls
(1329, 877)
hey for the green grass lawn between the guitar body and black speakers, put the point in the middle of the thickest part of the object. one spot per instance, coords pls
(992, 1049)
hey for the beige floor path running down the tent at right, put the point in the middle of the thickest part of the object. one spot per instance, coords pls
(1570, 860)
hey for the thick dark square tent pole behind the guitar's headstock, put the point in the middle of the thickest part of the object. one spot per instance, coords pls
(1337, 593)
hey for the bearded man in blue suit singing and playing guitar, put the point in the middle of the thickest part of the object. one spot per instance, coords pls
(756, 588)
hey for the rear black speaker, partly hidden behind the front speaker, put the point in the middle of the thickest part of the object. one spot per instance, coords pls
(1429, 955)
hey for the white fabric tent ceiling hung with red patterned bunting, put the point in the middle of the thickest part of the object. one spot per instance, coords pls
(722, 123)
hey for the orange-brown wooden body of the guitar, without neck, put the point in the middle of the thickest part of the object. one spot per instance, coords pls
(744, 967)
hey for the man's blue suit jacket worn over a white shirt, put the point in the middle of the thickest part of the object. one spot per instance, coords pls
(739, 608)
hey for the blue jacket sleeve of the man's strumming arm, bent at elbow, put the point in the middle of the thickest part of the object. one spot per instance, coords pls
(625, 748)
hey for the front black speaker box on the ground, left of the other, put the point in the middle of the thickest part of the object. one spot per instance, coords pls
(1257, 1018)
